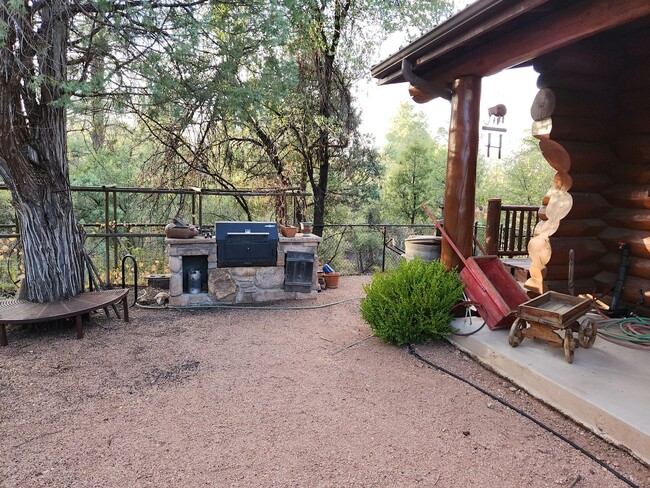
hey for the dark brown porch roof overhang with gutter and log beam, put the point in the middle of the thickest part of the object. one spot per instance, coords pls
(492, 35)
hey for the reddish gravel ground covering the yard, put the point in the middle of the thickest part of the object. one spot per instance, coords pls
(271, 398)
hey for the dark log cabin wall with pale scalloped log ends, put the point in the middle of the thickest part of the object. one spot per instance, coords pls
(592, 118)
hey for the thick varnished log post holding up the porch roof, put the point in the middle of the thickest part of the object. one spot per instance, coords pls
(460, 187)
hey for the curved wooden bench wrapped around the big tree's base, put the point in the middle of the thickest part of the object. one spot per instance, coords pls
(24, 312)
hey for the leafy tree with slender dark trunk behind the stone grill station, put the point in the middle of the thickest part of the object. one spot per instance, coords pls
(268, 97)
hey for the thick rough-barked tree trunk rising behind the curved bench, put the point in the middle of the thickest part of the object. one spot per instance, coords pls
(33, 159)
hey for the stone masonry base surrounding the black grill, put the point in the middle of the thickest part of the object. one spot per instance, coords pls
(197, 280)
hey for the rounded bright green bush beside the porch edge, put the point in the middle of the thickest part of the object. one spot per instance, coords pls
(412, 303)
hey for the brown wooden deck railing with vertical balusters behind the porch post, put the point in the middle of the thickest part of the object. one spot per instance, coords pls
(509, 228)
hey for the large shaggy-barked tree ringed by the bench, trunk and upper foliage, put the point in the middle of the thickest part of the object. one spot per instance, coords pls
(43, 46)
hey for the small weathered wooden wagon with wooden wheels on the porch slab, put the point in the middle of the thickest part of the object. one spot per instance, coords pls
(548, 314)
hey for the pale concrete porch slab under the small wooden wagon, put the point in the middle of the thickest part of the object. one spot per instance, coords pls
(606, 389)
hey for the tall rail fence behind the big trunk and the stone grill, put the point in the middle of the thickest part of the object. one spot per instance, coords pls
(104, 219)
